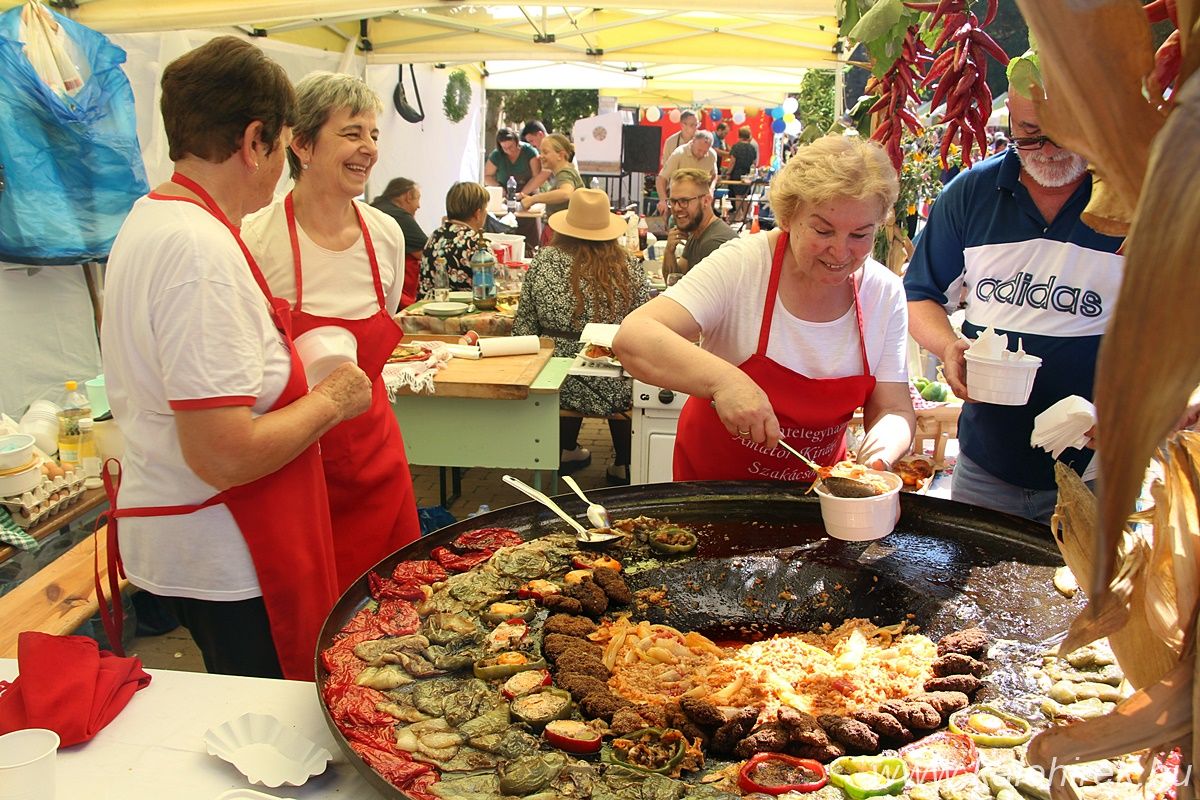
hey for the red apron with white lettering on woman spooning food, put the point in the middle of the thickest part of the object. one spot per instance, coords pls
(813, 413)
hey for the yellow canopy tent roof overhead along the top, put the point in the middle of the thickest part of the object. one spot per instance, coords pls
(731, 52)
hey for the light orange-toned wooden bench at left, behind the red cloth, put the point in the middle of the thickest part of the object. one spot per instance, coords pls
(59, 599)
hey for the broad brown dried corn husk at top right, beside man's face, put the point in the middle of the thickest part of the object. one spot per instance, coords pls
(1096, 105)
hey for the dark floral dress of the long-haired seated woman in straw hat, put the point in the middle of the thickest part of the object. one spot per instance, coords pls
(548, 309)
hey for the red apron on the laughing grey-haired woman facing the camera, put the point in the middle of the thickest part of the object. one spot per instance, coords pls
(371, 498)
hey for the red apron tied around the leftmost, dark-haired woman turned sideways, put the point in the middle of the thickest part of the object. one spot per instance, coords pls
(283, 516)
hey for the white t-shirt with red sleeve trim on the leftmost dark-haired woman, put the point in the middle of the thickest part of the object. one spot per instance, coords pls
(185, 327)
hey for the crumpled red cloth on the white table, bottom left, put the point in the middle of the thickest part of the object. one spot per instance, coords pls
(68, 685)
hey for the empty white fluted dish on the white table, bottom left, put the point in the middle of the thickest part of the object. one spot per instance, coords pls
(266, 751)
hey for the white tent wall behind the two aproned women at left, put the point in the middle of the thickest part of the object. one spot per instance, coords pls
(46, 316)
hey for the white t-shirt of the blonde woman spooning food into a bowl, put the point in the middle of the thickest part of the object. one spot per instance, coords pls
(725, 294)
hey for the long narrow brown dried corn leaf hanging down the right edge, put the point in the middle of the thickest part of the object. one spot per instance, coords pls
(1160, 284)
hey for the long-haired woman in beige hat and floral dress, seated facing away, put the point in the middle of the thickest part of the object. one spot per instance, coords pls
(584, 276)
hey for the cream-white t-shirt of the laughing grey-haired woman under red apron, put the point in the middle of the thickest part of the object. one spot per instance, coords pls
(337, 284)
